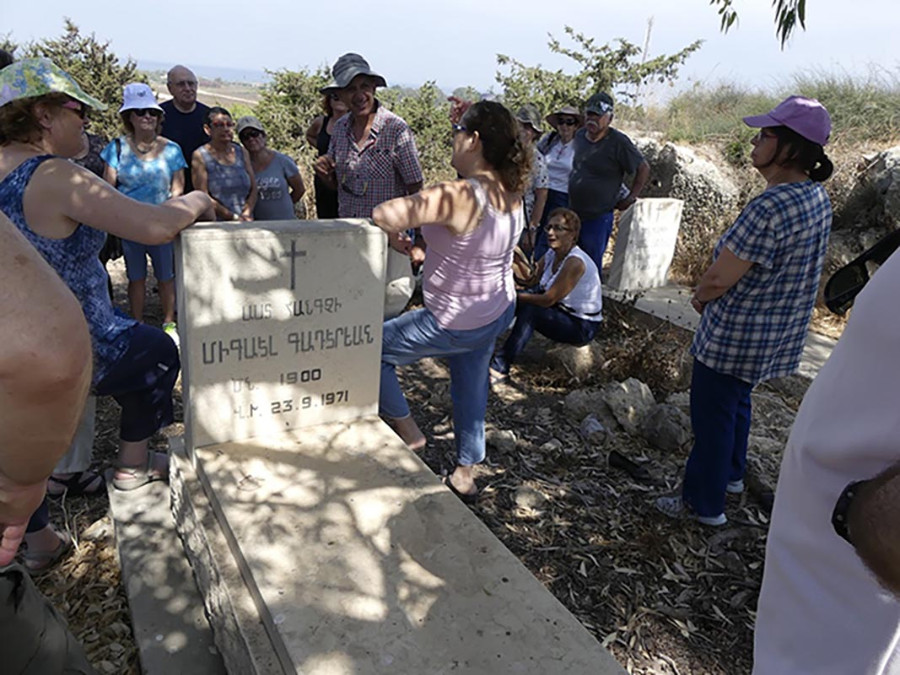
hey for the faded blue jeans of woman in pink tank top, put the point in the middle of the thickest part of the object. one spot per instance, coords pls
(417, 335)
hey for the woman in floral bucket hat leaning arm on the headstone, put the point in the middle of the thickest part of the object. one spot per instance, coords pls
(65, 212)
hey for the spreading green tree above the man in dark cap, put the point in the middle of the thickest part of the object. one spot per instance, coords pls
(613, 67)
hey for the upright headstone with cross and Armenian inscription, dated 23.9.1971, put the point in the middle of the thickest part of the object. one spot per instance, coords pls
(280, 325)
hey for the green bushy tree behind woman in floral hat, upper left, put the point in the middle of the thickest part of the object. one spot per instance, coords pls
(96, 68)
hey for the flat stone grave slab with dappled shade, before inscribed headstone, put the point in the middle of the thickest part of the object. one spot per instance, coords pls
(360, 562)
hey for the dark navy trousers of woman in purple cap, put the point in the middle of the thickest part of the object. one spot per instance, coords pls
(720, 418)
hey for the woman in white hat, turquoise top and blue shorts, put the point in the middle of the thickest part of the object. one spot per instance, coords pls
(147, 167)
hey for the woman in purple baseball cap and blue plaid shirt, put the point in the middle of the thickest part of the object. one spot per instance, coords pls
(755, 301)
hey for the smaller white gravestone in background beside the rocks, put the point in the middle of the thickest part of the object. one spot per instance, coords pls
(645, 244)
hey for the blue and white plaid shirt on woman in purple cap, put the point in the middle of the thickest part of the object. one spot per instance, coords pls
(757, 329)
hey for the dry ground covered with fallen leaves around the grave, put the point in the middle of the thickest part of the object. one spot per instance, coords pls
(664, 596)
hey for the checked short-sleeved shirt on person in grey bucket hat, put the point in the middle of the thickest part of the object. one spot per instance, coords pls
(376, 170)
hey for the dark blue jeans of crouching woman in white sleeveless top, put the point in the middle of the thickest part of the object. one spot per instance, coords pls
(551, 322)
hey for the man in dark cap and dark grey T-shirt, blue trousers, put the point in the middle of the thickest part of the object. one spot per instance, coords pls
(603, 157)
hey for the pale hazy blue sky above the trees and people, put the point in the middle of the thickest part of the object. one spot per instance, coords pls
(411, 41)
